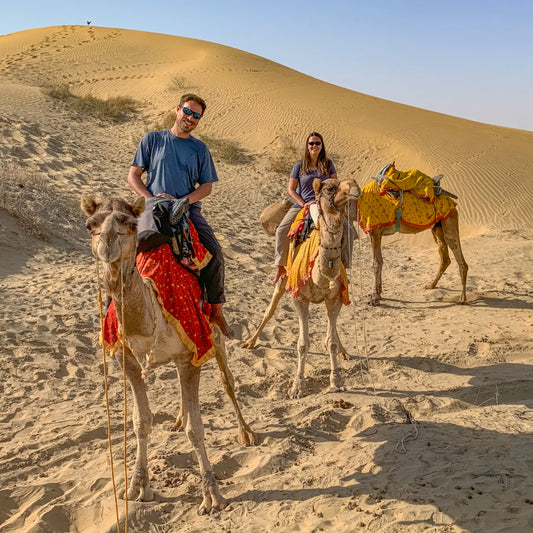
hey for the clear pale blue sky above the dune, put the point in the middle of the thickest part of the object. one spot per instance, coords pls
(467, 58)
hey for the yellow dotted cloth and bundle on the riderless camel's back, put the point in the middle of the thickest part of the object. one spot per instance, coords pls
(417, 205)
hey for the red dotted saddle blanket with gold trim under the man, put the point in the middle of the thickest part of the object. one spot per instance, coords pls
(179, 295)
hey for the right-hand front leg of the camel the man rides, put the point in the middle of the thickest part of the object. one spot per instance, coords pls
(189, 383)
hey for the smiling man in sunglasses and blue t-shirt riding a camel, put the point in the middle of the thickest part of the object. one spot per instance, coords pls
(179, 166)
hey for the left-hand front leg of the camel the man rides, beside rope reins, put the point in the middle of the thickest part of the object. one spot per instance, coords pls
(139, 488)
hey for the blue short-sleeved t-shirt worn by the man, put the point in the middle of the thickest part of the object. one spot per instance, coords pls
(174, 165)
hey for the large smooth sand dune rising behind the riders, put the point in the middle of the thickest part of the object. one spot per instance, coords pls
(264, 105)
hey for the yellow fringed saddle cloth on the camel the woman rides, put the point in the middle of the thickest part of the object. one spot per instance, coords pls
(300, 264)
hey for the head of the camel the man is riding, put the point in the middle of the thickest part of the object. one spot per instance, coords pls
(112, 224)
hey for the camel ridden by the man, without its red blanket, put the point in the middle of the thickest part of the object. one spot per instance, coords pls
(112, 224)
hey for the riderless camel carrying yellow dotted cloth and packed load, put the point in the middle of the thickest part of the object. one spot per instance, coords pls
(405, 202)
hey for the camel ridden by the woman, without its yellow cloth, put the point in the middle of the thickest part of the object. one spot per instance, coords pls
(323, 285)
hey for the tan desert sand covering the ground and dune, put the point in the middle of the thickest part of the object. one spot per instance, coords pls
(434, 432)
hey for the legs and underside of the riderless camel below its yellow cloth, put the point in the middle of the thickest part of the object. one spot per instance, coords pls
(445, 233)
